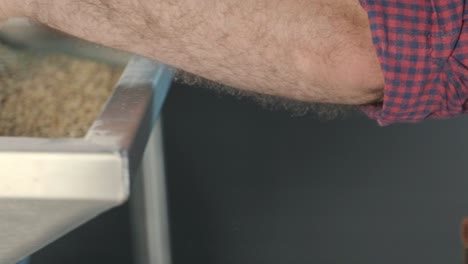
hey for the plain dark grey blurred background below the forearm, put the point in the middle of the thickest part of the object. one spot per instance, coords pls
(249, 185)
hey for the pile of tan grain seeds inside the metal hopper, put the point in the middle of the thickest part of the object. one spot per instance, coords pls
(51, 95)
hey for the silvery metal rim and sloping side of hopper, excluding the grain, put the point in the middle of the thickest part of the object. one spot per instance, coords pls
(50, 186)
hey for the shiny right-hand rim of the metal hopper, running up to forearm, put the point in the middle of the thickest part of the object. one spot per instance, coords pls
(132, 111)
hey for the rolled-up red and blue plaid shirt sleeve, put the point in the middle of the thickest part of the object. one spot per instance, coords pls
(423, 50)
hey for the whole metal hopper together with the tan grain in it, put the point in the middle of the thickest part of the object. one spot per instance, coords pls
(73, 127)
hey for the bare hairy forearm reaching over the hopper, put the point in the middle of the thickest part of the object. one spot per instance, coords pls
(306, 50)
